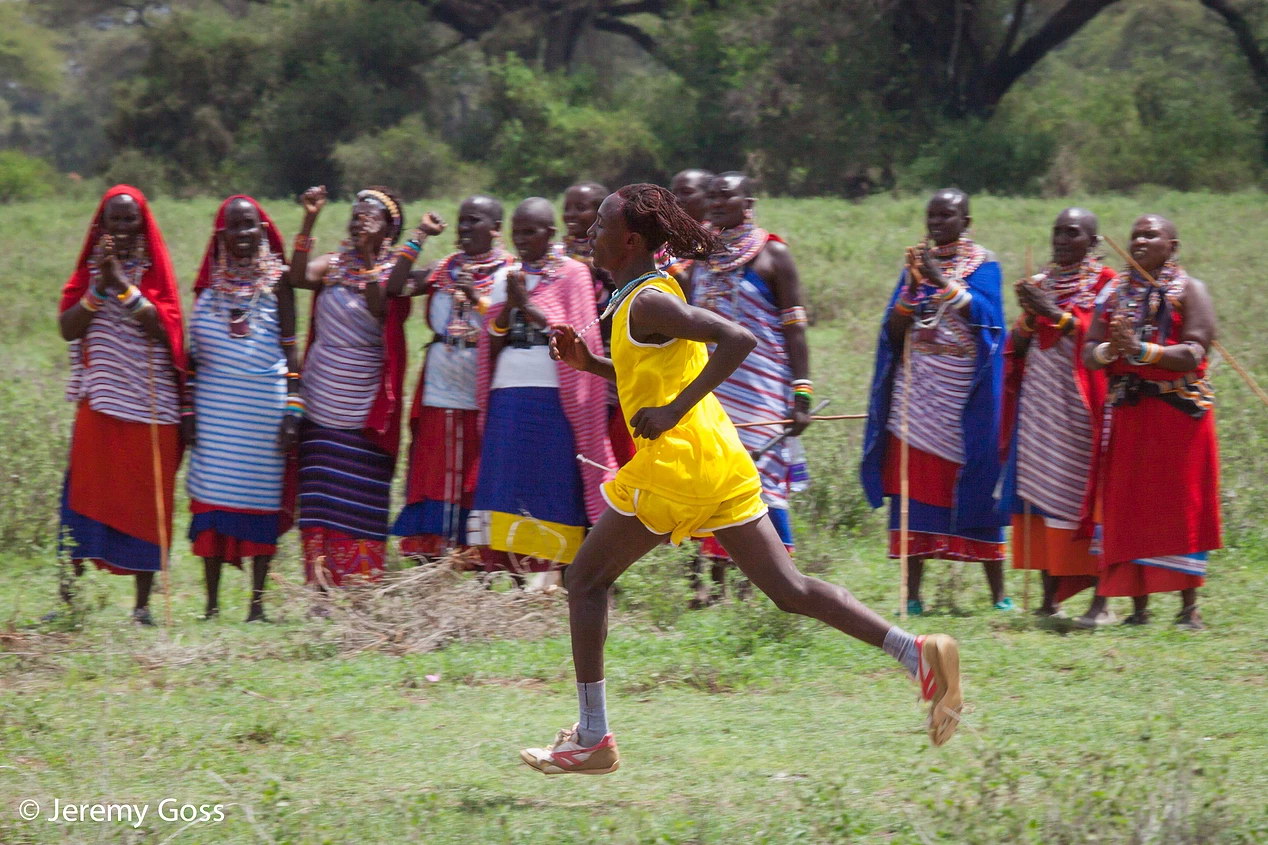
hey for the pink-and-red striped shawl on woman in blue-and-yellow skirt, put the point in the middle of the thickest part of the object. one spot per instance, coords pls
(567, 299)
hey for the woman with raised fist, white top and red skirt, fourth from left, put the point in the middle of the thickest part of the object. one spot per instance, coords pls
(444, 456)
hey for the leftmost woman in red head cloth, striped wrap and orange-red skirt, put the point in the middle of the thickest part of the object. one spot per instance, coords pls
(121, 311)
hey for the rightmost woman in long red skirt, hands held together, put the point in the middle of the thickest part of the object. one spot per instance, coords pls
(1152, 336)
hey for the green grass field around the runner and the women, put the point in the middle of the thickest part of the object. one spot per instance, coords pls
(737, 724)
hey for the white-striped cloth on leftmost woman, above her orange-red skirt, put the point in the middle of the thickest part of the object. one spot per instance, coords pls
(116, 364)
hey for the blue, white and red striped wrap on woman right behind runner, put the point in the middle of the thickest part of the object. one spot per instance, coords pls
(761, 388)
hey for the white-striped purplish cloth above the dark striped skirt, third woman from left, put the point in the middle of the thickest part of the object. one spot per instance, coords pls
(346, 364)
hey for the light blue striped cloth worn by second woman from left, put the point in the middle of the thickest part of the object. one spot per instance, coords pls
(239, 400)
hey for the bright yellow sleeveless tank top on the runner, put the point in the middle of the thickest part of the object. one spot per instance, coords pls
(702, 459)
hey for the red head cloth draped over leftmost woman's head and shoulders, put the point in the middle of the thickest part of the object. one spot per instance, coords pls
(158, 285)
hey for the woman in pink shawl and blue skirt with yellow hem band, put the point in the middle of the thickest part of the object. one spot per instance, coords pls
(534, 497)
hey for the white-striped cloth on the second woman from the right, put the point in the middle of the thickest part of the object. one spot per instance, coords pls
(1054, 433)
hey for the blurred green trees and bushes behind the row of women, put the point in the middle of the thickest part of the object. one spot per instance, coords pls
(813, 97)
